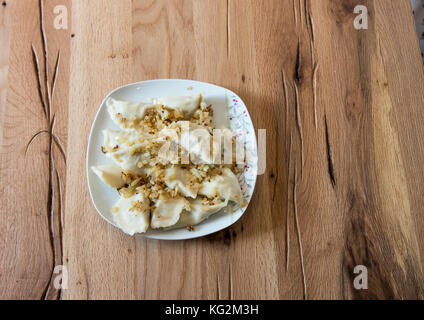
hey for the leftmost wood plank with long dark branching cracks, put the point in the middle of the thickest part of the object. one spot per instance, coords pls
(31, 247)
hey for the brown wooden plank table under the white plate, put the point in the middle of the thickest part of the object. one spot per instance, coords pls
(344, 114)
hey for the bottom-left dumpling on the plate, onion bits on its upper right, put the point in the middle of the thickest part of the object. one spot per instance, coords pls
(132, 214)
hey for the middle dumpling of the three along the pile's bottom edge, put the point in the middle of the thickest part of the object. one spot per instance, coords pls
(167, 211)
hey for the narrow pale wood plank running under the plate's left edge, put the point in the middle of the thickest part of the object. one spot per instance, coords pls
(95, 251)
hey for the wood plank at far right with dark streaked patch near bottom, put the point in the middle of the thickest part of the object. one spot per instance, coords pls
(367, 136)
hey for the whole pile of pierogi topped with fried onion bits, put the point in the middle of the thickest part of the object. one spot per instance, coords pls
(165, 164)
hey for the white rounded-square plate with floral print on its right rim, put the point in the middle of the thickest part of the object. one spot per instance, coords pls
(229, 110)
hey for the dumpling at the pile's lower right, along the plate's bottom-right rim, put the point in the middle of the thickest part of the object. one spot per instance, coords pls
(199, 212)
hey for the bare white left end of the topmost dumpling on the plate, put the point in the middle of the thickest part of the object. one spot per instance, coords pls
(123, 113)
